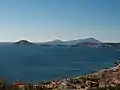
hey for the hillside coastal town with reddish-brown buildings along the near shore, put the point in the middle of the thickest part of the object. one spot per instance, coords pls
(105, 79)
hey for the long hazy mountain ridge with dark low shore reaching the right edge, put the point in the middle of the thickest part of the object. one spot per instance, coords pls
(90, 42)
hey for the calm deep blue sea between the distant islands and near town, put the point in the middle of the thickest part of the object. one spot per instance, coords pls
(38, 63)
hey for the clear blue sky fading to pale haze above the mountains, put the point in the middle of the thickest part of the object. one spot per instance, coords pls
(44, 20)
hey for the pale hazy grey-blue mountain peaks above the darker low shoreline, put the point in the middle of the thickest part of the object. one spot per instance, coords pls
(72, 42)
